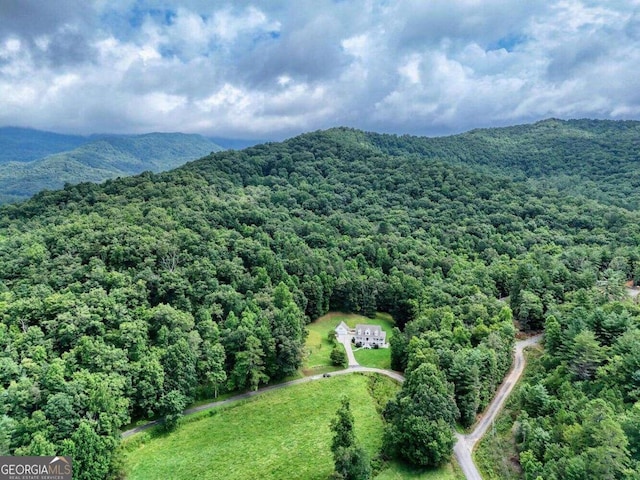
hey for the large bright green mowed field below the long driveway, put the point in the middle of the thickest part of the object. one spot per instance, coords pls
(280, 434)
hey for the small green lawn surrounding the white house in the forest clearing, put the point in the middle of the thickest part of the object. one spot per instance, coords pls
(319, 347)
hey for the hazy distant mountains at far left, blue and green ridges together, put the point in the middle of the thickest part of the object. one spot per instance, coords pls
(33, 160)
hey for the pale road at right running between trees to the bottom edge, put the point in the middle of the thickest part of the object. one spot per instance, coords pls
(466, 443)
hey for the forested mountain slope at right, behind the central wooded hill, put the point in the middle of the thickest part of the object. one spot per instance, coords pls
(598, 159)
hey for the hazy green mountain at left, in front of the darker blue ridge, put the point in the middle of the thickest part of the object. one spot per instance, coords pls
(102, 157)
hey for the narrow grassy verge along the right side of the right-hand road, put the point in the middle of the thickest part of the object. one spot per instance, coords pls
(496, 455)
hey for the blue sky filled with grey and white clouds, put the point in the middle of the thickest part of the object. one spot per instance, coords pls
(272, 69)
